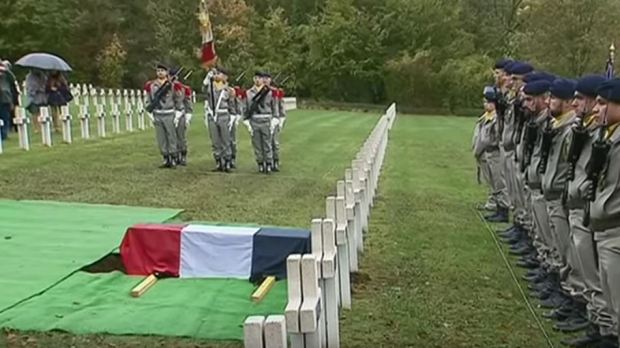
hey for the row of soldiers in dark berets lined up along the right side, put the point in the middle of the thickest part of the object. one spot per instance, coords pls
(560, 150)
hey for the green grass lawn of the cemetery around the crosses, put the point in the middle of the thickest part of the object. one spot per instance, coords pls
(431, 275)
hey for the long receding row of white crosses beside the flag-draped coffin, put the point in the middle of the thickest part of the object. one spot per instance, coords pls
(319, 283)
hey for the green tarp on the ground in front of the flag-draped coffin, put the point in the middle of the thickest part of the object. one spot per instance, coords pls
(100, 303)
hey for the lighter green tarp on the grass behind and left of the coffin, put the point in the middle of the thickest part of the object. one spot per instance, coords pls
(43, 242)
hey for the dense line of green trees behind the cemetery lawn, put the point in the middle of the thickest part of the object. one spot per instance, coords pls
(427, 53)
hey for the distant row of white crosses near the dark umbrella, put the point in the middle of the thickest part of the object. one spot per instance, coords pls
(106, 102)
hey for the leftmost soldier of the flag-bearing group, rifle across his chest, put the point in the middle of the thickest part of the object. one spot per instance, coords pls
(167, 112)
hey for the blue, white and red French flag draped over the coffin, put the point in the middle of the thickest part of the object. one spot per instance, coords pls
(211, 251)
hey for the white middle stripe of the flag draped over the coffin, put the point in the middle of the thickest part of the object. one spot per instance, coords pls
(209, 251)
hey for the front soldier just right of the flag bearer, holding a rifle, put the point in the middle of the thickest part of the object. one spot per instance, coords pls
(261, 110)
